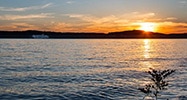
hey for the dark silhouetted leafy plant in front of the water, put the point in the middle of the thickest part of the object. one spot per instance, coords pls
(158, 82)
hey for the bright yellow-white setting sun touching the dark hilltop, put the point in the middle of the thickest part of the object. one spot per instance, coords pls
(148, 26)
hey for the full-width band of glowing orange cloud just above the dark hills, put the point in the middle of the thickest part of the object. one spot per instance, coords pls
(89, 23)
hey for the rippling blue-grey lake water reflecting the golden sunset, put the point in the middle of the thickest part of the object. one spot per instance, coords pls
(96, 69)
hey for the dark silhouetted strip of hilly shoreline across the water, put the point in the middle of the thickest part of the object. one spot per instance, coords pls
(132, 34)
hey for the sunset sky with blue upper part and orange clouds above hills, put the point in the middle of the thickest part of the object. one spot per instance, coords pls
(168, 16)
